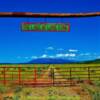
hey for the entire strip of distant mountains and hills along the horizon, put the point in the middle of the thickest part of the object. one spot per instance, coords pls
(57, 61)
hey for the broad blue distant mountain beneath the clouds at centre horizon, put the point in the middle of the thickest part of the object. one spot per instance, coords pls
(49, 61)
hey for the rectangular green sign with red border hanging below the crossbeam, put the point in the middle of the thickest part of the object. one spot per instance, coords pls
(46, 27)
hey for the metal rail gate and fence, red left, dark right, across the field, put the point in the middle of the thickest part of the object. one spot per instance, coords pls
(40, 76)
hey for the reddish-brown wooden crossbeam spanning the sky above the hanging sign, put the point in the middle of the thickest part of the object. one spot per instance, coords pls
(57, 15)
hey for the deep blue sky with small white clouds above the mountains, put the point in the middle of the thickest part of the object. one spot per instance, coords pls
(81, 43)
